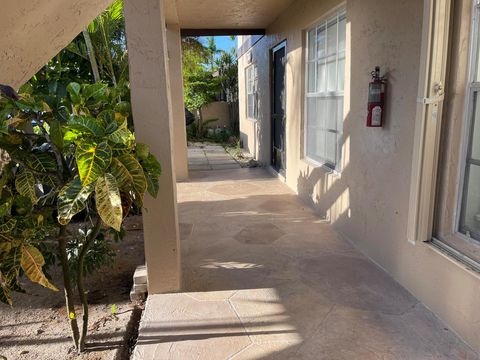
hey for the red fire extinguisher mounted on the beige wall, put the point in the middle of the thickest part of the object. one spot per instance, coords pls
(376, 99)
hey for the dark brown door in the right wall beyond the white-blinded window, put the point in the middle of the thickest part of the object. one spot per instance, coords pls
(278, 108)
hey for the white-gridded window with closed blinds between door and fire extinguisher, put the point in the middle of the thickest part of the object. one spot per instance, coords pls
(325, 77)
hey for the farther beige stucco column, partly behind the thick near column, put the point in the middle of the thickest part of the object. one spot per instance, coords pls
(178, 107)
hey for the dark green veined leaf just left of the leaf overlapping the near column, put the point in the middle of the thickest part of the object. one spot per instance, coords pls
(129, 174)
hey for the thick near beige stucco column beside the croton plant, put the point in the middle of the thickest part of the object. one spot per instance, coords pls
(151, 106)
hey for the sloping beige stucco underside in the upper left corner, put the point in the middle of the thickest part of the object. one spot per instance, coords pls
(34, 31)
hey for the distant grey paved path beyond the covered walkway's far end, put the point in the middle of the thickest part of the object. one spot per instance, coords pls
(209, 157)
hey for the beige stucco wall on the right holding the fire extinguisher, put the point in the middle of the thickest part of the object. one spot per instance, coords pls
(368, 202)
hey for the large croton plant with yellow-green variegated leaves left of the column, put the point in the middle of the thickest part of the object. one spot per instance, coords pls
(72, 174)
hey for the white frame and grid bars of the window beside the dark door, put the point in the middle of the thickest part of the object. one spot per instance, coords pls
(335, 15)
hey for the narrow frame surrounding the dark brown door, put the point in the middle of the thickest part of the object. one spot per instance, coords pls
(278, 46)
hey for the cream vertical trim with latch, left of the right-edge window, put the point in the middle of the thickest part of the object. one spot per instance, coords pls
(433, 63)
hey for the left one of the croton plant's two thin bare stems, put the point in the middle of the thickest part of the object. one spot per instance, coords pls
(67, 284)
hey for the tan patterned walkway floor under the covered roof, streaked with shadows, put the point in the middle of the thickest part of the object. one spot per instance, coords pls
(265, 278)
